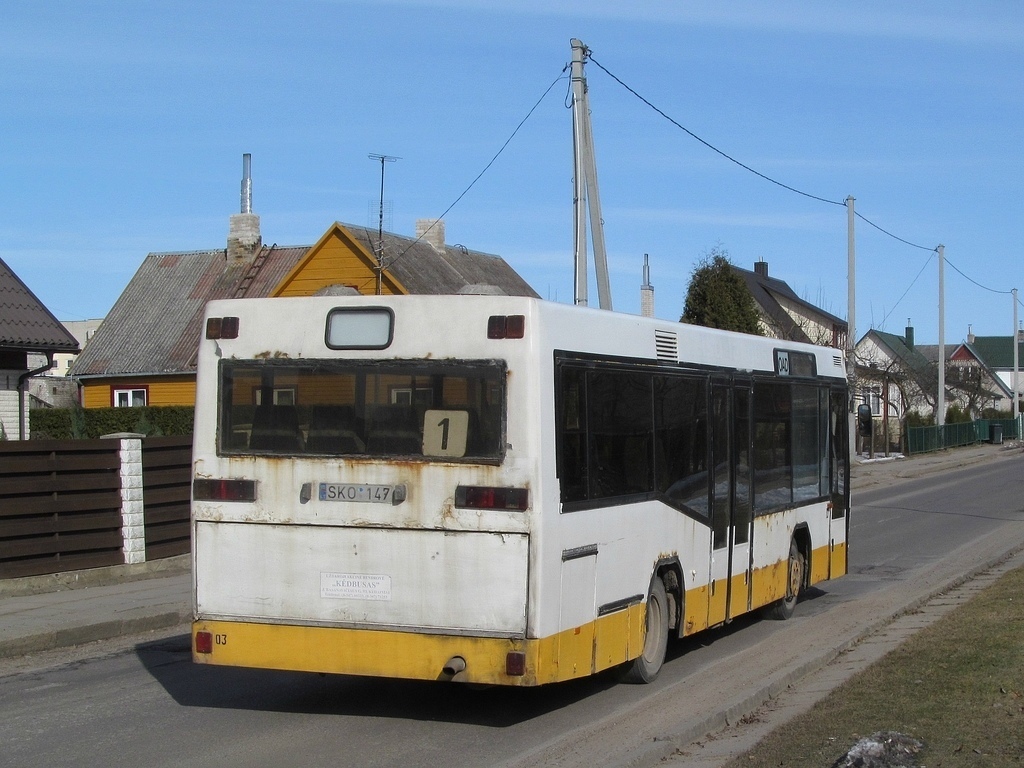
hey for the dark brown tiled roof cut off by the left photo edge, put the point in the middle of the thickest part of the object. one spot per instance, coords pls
(25, 324)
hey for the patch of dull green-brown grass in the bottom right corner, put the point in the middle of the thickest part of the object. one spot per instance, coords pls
(958, 687)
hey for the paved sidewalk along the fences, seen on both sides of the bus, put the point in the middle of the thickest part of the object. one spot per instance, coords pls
(67, 610)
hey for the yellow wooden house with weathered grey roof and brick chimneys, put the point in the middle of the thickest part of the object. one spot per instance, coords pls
(145, 352)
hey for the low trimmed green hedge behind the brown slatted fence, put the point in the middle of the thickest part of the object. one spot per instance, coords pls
(78, 423)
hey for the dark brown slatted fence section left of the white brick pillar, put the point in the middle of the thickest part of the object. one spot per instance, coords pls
(60, 506)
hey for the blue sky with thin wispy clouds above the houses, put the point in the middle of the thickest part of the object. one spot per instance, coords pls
(123, 126)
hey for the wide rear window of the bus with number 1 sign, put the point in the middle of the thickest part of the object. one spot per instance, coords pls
(445, 411)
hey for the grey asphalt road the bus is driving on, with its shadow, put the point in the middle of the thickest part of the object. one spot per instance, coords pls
(151, 706)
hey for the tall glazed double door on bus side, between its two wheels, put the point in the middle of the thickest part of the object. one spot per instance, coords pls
(732, 524)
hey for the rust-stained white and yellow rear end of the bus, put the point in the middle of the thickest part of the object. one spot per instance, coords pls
(362, 499)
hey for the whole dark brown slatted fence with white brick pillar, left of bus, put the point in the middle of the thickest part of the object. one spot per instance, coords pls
(64, 504)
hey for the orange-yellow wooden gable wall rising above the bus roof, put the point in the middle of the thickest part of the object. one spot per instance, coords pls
(336, 260)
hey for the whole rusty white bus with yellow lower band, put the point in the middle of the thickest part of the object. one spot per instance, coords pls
(501, 490)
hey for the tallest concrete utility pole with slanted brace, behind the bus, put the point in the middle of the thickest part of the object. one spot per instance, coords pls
(585, 188)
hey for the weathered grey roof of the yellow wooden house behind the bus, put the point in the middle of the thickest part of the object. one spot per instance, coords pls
(154, 327)
